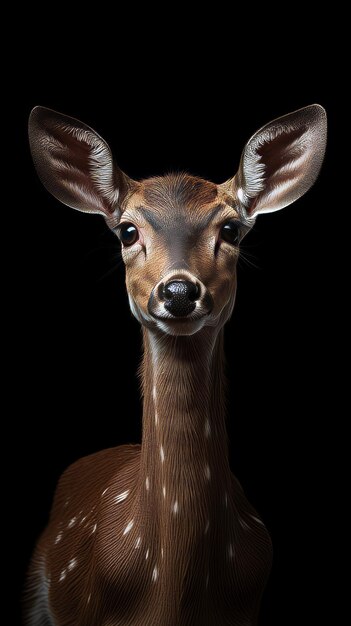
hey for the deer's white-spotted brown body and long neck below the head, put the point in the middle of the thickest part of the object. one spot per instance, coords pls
(174, 525)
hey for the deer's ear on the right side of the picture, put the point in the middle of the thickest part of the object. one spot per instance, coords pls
(281, 161)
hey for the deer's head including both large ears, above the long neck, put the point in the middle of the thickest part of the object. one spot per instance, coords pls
(180, 235)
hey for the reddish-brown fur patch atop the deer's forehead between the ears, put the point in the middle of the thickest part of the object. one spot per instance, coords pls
(177, 191)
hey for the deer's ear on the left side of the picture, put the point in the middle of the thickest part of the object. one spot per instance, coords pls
(75, 164)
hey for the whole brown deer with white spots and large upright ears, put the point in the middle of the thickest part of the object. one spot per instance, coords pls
(162, 534)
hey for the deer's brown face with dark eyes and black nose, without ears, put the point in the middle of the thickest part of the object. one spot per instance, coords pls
(180, 240)
